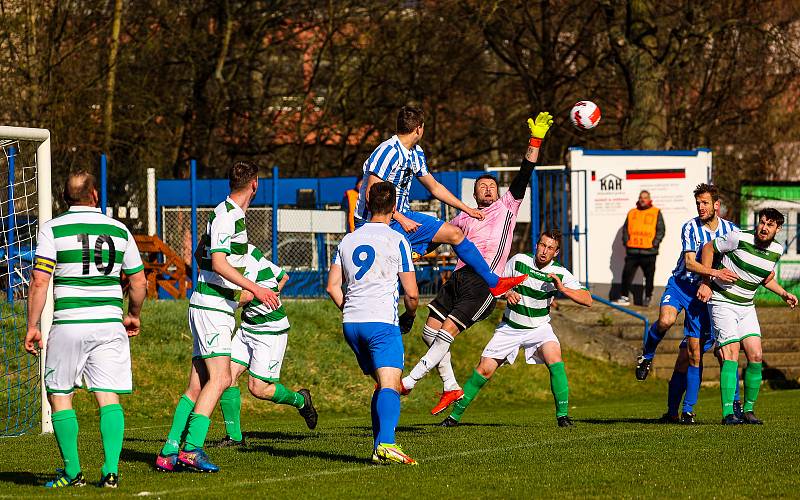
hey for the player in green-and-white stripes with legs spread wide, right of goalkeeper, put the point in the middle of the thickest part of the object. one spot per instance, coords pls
(526, 325)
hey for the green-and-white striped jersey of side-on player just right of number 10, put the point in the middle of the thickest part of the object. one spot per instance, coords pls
(226, 233)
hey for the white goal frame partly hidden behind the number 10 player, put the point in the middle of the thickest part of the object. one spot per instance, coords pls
(45, 213)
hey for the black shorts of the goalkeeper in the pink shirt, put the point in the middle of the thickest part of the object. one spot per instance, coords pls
(465, 298)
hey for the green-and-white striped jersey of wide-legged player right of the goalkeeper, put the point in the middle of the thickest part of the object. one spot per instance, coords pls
(537, 291)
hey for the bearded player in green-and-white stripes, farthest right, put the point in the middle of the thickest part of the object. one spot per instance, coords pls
(752, 256)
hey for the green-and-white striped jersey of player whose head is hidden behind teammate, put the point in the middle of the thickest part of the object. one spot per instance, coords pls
(258, 317)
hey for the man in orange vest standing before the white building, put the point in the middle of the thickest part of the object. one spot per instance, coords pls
(641, 234)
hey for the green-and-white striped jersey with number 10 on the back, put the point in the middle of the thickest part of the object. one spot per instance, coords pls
(85, 251)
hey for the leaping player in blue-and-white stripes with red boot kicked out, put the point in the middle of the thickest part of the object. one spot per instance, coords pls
(398, 160)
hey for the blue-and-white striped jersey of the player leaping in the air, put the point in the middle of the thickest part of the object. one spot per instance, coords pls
(392, 162)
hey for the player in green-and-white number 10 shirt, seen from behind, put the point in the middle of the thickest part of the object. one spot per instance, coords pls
(85, 251)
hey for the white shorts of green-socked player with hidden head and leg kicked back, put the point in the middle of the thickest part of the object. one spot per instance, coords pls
(262, 353)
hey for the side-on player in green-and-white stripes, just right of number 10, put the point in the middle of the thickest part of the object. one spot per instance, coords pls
(214, 300)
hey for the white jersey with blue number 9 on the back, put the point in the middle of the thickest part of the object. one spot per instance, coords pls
(371, 257)
